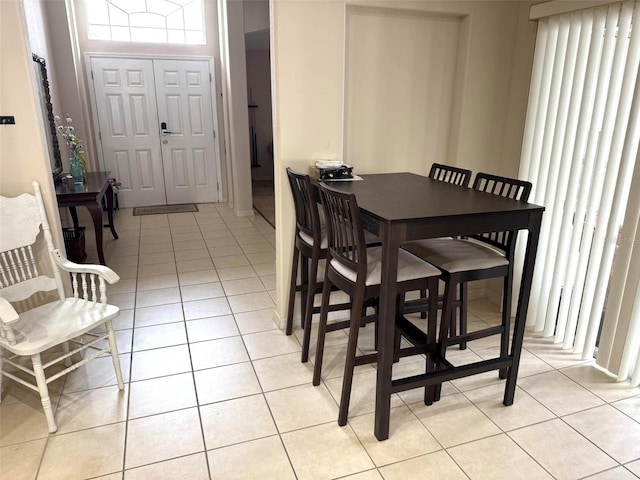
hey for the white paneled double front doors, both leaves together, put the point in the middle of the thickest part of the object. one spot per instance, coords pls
(156, 129)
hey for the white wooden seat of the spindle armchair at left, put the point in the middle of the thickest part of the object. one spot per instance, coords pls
(53, 323)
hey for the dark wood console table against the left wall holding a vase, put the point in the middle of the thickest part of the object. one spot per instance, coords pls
(89, 195)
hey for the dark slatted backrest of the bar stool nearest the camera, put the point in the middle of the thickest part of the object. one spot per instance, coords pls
(344, 230)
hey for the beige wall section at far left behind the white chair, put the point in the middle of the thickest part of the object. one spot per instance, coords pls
(23, 150)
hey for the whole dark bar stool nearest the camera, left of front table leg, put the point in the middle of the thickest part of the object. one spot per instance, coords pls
(356, 270)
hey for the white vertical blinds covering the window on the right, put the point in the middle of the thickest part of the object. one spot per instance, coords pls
(579, 150)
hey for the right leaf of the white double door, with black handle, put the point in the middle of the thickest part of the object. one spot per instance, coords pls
(183, 91)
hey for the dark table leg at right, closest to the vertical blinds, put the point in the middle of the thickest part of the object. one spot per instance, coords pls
(523, 303)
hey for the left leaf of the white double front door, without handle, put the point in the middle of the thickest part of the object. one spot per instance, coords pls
(127, 116)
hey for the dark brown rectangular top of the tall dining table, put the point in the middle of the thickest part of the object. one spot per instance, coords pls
(402, 197)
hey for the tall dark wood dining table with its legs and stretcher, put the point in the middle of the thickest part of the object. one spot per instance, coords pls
(399, 207)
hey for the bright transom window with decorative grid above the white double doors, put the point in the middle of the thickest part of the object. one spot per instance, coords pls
(155, 21)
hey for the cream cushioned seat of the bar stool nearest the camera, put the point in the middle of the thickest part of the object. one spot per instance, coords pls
(409, 267)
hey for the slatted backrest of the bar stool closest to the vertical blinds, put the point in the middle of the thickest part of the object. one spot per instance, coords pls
(504, 187)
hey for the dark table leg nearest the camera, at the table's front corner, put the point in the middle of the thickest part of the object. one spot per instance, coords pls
(386, 328)
